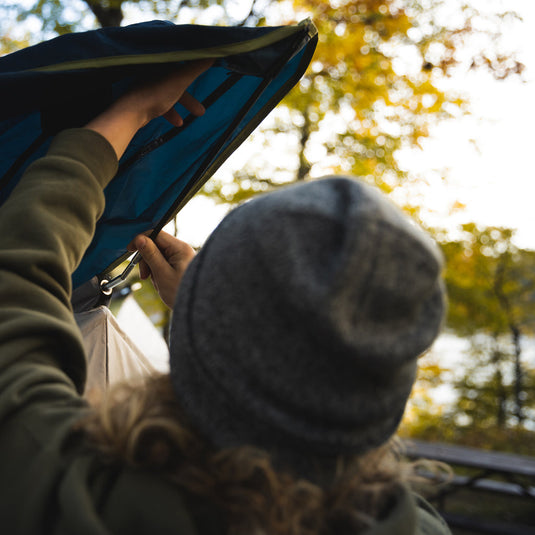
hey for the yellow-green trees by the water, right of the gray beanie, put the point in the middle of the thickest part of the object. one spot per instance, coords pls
(491, 291)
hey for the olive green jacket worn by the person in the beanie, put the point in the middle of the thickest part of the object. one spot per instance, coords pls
(50, 480)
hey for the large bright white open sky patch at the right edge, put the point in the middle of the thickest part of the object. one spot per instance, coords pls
(489, 154)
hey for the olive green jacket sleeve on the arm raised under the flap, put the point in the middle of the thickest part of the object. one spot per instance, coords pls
(46, 225)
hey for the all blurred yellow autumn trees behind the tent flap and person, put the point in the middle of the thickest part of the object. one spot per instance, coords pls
(377, 85)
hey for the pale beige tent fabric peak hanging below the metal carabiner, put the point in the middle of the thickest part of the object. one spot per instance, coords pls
(111, 354)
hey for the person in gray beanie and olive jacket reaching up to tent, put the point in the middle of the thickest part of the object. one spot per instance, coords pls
(295, 336)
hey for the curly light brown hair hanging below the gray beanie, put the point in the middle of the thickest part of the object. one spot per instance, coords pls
(143, 426)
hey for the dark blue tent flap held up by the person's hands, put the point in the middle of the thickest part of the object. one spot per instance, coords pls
(66, 81)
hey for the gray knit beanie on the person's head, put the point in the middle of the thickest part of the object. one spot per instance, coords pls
(298, 325)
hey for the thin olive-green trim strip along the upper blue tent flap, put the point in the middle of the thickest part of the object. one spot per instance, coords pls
(184, 55)
